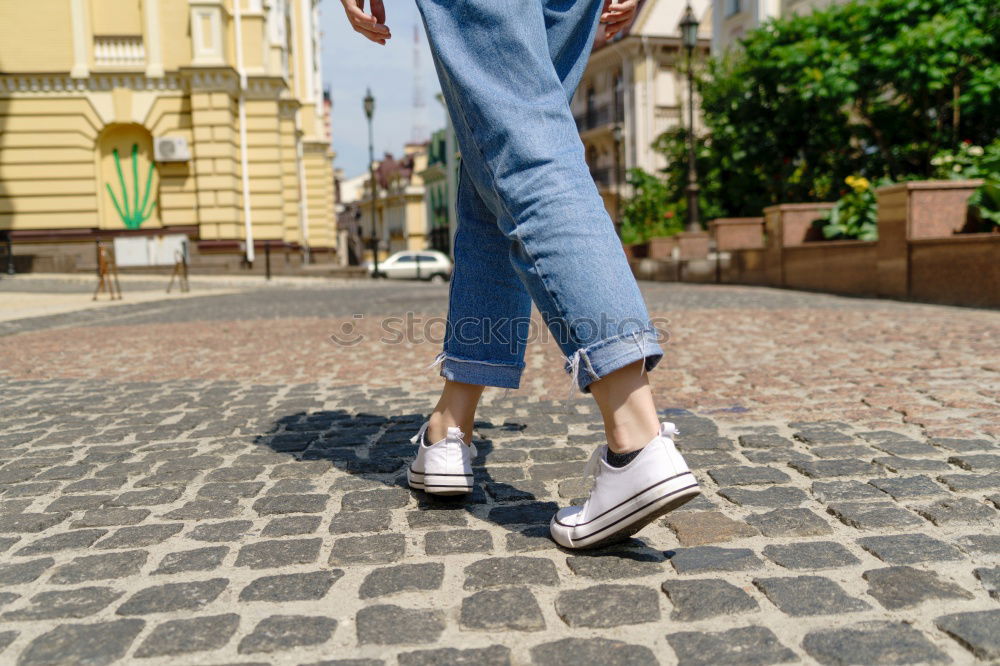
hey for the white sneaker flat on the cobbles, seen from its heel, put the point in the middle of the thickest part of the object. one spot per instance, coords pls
(443, 468)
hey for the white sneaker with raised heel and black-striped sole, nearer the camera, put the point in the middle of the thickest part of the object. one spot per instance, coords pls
(626, 499)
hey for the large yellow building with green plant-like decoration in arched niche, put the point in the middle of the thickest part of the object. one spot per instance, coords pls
(147, 117)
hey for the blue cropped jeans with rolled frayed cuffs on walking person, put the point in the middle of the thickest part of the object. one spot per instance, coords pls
(531, 226)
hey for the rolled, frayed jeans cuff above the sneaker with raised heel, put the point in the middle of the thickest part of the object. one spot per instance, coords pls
(605, 356)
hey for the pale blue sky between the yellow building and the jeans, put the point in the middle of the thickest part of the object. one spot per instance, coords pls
(351, 64)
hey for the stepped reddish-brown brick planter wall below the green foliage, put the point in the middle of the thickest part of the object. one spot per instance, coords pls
(920, 253)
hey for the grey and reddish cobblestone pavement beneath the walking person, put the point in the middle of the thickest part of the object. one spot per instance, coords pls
(212, 480)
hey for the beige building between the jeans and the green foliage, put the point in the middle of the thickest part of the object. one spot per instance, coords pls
(633, 90)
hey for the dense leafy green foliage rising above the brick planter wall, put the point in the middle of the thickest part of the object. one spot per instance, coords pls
(876, 88)
